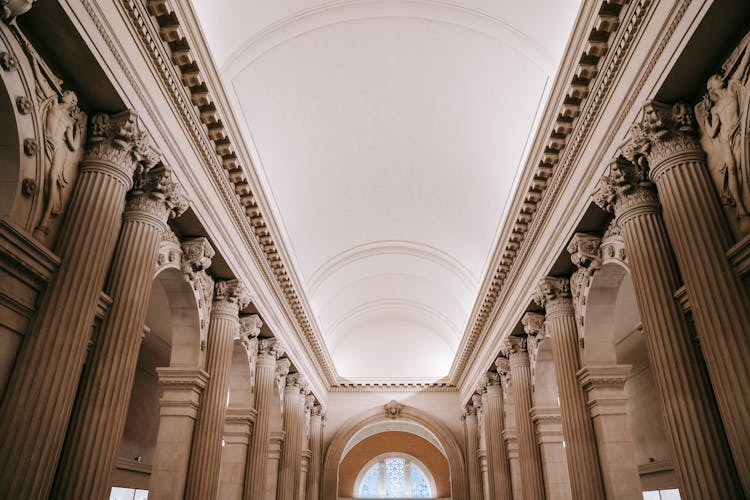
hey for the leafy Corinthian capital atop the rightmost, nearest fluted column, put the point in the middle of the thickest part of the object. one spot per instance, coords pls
(662, 132)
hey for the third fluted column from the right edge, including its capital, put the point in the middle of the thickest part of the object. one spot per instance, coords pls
(583, 461)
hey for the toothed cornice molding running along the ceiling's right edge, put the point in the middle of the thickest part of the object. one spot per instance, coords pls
(565, 130)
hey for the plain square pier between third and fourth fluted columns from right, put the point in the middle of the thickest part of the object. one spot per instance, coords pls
(548, 424)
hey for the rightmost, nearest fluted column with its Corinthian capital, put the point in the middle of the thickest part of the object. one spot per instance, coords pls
(667, 138)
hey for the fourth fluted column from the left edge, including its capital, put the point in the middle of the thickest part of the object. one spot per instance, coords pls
(265, 368)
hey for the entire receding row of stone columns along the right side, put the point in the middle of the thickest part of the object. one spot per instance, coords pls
(674, 232)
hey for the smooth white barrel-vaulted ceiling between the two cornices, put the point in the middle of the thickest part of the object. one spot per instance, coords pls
(387, 135)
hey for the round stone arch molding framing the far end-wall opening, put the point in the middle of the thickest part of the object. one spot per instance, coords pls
(335, 452)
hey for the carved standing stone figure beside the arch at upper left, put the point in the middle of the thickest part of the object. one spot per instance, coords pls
(63, 126)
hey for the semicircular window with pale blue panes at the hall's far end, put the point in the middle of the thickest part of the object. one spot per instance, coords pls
(394, 475)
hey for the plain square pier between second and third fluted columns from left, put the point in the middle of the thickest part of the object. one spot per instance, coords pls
(179, 403)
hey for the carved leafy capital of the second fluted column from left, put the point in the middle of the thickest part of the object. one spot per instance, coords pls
(155, 197)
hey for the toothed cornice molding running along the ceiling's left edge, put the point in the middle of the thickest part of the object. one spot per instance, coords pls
(167, 43)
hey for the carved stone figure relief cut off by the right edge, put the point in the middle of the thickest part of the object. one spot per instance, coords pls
(723, 122)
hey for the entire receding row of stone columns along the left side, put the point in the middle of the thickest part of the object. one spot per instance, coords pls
(66, 404)
